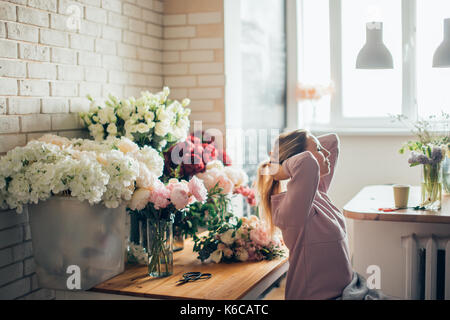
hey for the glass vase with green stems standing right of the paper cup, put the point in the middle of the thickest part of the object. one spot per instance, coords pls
(431, 186)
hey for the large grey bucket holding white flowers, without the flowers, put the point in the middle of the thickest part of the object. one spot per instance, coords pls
(76, 246)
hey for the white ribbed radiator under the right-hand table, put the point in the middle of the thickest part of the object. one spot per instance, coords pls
(421, 266)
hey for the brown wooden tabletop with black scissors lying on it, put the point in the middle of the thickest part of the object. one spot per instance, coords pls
(228, 282)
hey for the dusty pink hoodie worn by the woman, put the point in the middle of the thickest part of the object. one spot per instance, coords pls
(313, 228)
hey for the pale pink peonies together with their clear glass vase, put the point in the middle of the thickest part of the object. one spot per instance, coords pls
(157, 205)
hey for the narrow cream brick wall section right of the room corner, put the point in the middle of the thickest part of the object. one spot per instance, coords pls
(193, 58)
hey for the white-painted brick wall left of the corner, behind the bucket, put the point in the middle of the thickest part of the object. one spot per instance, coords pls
(49, 61)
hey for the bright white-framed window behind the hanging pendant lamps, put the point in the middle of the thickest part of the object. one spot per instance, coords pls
(330, 35)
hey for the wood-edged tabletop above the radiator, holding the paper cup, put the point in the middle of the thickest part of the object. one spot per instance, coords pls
(365, 205)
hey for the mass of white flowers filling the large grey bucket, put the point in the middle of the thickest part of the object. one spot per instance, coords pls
(106, 171)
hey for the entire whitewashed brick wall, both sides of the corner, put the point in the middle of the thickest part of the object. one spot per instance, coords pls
(121, 46)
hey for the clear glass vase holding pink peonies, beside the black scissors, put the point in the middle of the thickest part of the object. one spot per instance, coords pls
(160, 248)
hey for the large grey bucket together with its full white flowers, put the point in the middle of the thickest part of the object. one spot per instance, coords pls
(76, 191)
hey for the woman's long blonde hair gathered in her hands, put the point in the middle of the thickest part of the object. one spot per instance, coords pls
(288, 144)
